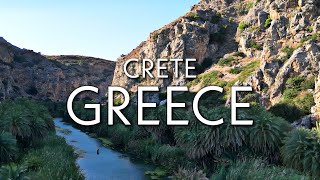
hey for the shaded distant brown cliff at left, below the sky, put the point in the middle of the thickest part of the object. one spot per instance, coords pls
(25, 73)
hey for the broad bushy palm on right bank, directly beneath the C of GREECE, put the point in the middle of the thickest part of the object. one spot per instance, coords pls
(200, 140)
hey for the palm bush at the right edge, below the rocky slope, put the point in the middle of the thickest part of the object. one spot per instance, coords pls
(301, 151)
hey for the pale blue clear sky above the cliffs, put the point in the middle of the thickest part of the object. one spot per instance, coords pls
(98, 28)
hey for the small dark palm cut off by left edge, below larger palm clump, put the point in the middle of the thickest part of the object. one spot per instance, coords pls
(8, 147)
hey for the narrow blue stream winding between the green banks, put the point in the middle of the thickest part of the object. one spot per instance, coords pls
(108, 165)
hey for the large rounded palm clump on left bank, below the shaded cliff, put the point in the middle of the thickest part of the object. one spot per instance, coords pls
(27, 120)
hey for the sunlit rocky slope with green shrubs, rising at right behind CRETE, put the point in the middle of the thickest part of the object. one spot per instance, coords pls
(272, 45)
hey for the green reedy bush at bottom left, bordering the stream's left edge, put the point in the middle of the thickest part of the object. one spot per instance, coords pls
(52, 158)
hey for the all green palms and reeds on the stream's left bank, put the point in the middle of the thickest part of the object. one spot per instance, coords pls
(28, 147)
